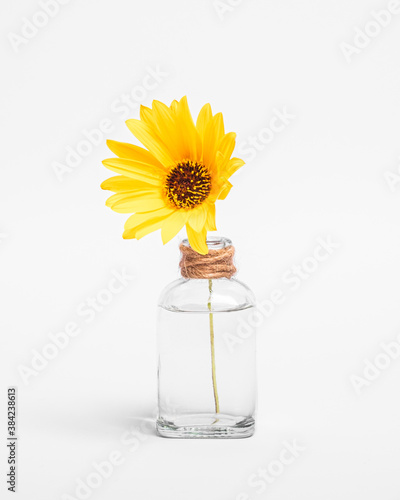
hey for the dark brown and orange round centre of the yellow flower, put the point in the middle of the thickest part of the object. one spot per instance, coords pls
(188, 184)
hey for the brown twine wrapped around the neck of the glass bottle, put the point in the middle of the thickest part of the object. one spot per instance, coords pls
(216, 264)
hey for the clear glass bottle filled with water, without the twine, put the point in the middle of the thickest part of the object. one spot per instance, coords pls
(206, 366)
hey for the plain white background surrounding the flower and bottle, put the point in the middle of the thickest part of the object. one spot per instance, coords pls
(325, 174)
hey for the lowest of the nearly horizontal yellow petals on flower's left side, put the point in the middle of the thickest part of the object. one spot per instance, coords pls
(129, 202)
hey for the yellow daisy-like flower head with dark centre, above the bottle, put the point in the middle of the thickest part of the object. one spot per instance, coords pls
(177, 179)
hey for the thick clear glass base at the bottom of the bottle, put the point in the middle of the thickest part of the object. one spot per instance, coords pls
(206, 427)
